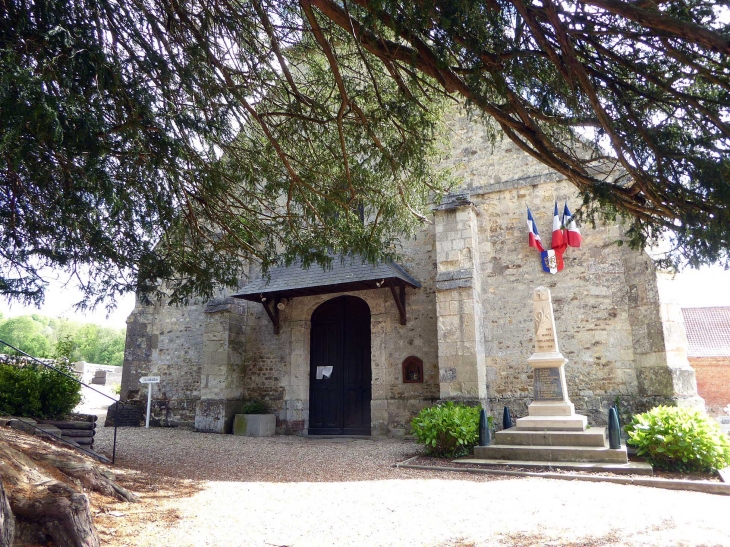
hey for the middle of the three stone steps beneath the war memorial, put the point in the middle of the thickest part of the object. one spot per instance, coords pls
(551, 453)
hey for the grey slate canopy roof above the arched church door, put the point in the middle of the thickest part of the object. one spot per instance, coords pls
(348, 274)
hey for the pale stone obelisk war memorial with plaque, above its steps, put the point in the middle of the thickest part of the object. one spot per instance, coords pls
(551, 408)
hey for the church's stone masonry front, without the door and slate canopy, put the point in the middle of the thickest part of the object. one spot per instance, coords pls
(607, 308)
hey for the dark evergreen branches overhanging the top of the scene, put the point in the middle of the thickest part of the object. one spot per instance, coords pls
(157, 146)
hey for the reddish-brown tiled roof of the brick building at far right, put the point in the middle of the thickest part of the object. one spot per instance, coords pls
(708, 331)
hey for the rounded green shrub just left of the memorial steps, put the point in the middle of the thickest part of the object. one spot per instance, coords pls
(448, 429)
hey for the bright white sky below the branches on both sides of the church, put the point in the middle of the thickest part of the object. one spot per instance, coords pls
(708, 286)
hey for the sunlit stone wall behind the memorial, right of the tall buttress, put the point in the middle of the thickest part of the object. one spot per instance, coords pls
(621, 341)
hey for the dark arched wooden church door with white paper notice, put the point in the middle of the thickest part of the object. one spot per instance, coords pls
(340, 404)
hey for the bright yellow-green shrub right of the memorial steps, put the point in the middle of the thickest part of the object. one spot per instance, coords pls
(679, 439)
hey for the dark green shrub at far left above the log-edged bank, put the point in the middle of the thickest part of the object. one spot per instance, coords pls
(35, 391)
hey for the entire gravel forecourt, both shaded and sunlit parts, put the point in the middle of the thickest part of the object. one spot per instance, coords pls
(220, 490)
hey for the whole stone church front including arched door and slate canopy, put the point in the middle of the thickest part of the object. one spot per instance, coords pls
(451, 321)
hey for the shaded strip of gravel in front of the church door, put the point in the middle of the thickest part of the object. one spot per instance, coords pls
(178, 453)
